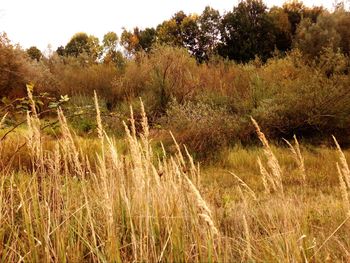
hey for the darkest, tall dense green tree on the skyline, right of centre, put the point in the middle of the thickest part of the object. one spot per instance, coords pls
(247, 32)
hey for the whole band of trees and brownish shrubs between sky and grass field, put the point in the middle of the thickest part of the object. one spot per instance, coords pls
(204, 76)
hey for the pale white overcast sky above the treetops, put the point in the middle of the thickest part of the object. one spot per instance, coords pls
(43, 22)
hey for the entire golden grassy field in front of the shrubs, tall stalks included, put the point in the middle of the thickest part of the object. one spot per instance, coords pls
(100, 199)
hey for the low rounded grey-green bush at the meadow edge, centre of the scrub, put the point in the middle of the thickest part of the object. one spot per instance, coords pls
(204, 129)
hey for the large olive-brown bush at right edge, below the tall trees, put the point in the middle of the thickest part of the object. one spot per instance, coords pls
(308, 100)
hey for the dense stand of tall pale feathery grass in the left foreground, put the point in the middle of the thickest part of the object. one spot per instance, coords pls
(120, 210)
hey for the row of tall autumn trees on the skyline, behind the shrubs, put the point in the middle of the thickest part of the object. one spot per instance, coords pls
(250, 30)
